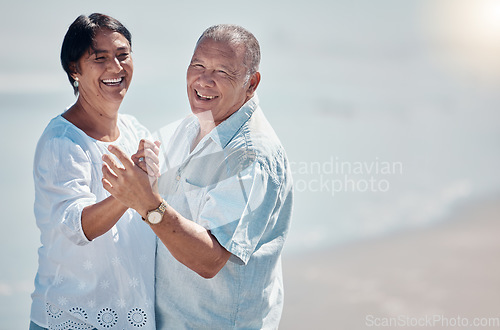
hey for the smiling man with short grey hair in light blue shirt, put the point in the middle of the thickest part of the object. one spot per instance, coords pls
(223, 206)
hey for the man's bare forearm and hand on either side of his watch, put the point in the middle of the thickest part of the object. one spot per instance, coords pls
(191, 244)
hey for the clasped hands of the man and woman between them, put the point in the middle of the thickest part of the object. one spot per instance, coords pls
(135, 182)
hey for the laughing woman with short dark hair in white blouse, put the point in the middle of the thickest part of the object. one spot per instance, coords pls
(96, 262)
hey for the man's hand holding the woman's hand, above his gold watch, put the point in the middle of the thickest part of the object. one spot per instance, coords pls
(129, 183)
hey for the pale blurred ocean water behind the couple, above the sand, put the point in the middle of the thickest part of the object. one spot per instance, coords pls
(389, 114)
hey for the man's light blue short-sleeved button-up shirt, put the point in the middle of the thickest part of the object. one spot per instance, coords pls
(237, 184)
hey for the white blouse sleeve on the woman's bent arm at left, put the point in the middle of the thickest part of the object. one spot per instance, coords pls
(62, 182)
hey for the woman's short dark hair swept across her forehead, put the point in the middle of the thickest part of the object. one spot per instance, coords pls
(80, 38)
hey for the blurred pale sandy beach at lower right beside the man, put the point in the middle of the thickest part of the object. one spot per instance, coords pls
(443, 277)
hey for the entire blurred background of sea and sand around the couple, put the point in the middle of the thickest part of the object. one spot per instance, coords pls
(389, 114)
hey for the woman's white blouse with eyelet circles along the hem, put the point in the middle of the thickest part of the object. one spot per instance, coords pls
(107, 283)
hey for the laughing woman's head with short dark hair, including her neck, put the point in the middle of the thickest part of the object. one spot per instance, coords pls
(101, 75)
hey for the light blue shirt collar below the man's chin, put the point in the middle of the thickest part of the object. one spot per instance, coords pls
(226, 130)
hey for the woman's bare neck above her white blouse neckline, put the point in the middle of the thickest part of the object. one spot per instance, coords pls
(99, 123)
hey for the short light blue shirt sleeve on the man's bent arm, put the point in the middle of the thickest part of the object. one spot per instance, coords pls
(239, 210)
